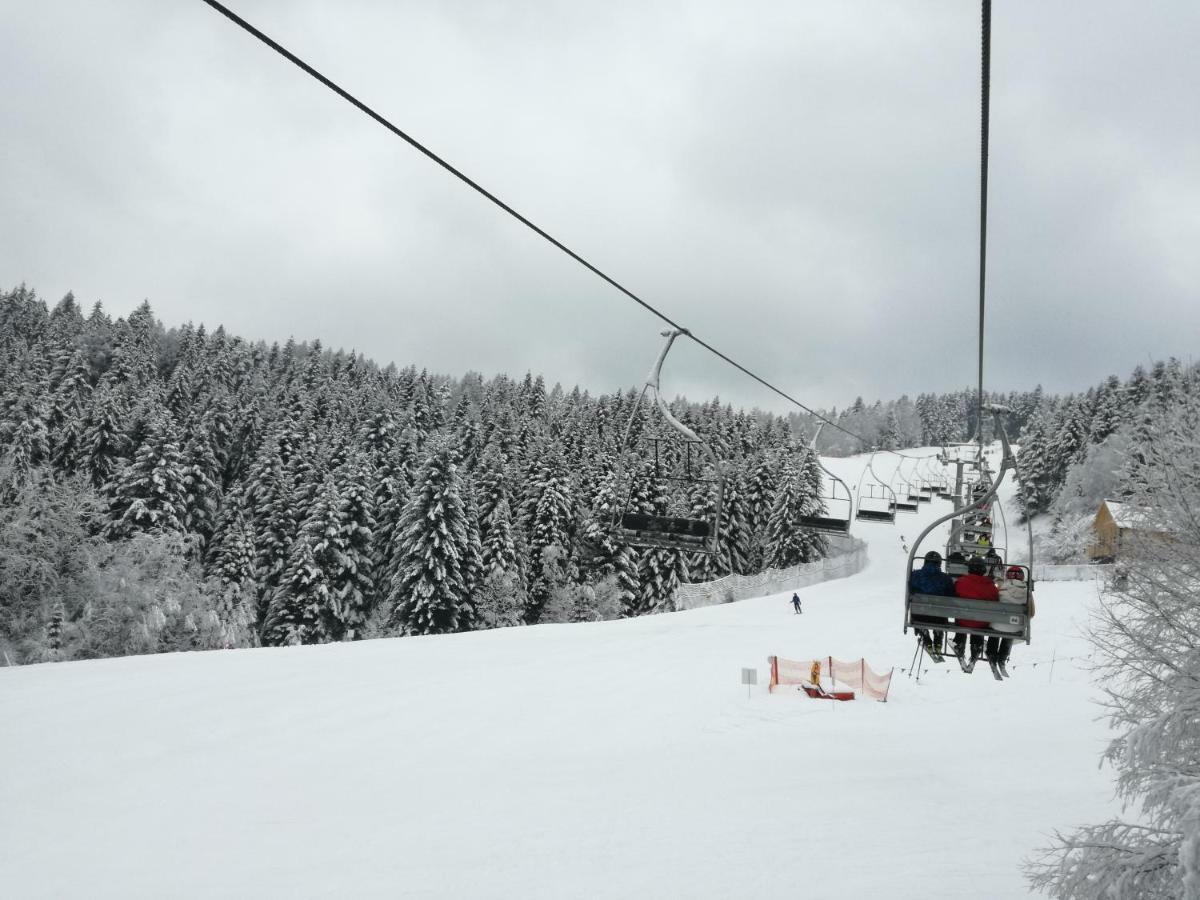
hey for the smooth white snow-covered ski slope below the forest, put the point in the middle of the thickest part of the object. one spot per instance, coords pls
(610, 760)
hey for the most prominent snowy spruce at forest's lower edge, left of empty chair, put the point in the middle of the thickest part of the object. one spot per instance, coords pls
(429, 590)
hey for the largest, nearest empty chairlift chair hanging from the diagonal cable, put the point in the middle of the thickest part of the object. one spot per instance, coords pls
(675, 460)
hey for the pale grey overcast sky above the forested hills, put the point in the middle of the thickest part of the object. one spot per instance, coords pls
(795, 182)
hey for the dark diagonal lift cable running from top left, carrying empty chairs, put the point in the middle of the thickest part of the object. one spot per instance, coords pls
(479, 189)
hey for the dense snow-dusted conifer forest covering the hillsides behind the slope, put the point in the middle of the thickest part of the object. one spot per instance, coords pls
(172, 488)
